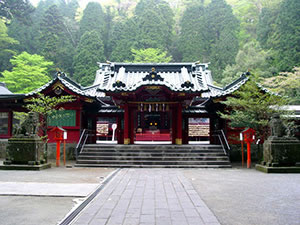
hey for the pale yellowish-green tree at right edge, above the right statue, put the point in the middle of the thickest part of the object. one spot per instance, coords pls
(286, 84)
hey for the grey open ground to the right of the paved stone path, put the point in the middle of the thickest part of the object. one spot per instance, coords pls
(248, 197)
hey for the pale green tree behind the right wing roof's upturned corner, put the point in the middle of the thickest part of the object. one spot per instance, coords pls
(250, 58)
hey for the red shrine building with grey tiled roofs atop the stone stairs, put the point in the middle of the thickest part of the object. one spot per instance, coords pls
(134, 103)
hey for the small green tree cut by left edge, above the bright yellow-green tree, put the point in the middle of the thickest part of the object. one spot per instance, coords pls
(7, 45)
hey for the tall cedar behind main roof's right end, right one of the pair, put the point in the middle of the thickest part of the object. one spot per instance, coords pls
(222, 27)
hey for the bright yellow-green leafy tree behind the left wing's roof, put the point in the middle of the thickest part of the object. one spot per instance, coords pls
(28, 73)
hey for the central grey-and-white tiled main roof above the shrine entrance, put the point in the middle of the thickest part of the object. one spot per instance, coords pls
(183, 77)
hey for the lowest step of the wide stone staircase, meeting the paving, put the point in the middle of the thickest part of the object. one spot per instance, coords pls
(153, 166)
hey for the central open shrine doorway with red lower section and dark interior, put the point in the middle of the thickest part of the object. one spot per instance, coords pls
(153, 128)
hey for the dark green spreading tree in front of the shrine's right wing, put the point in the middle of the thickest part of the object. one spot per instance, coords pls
(252, 107)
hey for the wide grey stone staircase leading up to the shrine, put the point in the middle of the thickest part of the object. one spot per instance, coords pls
(155, 156)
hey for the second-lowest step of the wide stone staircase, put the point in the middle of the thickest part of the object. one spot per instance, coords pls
(153, 162)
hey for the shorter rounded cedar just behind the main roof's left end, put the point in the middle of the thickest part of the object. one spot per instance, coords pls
(90, 50)
